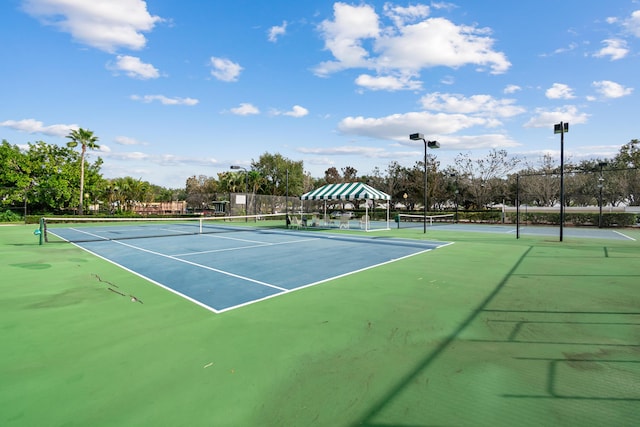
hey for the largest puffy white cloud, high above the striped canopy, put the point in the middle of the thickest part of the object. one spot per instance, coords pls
(403, 48)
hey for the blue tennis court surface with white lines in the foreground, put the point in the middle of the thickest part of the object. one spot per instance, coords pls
(222, 271)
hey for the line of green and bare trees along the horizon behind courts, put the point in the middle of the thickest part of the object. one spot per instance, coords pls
(47, 178)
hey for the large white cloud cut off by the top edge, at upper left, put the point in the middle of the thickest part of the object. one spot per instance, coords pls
(104, 24)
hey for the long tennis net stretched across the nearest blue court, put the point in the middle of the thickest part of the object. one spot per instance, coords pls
(87, 229)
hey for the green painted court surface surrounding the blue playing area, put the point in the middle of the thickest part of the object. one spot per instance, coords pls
(489, 331)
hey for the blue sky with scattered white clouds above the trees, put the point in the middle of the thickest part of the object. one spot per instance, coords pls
(180, 88)
